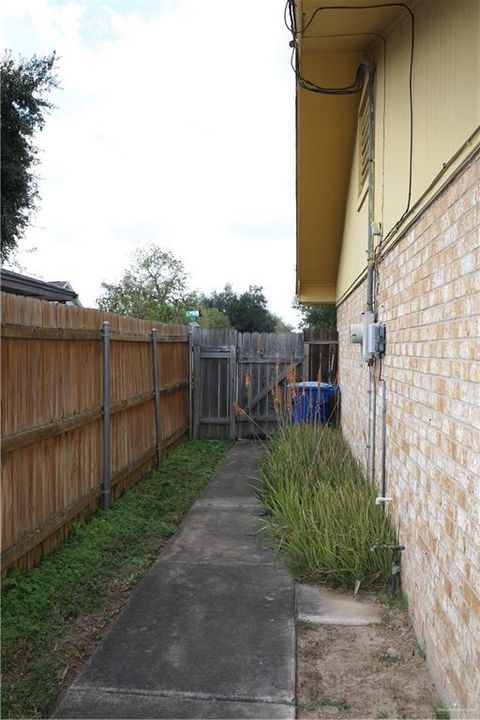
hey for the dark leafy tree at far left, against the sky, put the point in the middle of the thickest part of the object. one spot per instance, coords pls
(24, 84)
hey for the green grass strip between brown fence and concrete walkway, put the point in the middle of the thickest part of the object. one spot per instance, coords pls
(54, 614)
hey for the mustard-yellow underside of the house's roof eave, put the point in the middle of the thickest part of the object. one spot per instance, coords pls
(330, 51)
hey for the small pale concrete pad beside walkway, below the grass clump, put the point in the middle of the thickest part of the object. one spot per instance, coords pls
(324, 606)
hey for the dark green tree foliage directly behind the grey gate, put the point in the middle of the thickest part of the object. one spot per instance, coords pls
(248, 311)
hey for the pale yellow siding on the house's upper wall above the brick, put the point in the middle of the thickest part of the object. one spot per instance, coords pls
(446, 95)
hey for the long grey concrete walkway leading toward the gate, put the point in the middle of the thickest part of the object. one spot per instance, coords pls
(209, 633)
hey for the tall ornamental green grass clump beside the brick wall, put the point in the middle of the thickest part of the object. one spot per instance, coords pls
(323, 513)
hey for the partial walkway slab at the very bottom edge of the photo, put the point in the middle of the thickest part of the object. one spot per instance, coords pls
(100, 704)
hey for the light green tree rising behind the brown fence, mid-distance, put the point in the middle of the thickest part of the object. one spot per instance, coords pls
(154, 288)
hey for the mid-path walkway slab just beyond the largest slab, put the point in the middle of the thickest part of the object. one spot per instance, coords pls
(220, 535)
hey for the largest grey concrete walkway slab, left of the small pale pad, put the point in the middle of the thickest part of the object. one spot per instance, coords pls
(221, 631)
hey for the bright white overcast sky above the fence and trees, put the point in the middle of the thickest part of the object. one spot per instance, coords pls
(175, 125)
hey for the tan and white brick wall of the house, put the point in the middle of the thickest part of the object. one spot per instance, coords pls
(429, 297)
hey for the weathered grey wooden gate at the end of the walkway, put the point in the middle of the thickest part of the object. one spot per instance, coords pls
(239, 379)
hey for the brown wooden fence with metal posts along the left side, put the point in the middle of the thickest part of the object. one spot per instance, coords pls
(57, 411)
